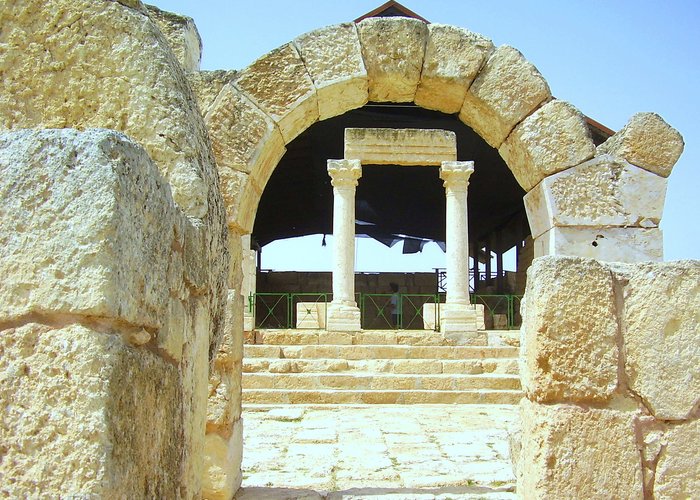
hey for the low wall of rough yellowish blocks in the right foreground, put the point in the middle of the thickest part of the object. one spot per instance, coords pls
(611, 373)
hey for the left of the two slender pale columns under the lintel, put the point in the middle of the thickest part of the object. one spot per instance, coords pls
(343, 313)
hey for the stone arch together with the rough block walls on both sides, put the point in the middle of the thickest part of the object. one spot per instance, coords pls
(130, 180)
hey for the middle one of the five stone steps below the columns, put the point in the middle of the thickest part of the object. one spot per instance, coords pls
(403, 366)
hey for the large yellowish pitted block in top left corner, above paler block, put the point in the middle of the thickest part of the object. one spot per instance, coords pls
(126, 78)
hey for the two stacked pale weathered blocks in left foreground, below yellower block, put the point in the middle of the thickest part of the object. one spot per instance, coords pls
(103, 338)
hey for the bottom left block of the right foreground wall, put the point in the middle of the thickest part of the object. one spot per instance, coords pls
(576, 452)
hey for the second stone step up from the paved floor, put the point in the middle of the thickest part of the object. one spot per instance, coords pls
(375, 382)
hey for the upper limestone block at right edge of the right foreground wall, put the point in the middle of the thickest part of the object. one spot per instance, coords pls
(661, 307)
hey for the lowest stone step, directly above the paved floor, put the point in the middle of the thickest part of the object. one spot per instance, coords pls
(338, 396)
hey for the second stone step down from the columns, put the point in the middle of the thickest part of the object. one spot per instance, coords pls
(358, 352)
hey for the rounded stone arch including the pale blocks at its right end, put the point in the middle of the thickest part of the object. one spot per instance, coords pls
(253, 114)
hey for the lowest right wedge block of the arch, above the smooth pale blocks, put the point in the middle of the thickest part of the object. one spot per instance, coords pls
(553, 138)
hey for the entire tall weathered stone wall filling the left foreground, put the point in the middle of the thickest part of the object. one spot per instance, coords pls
(107, 64)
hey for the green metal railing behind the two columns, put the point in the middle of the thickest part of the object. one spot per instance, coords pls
(283, 310)
